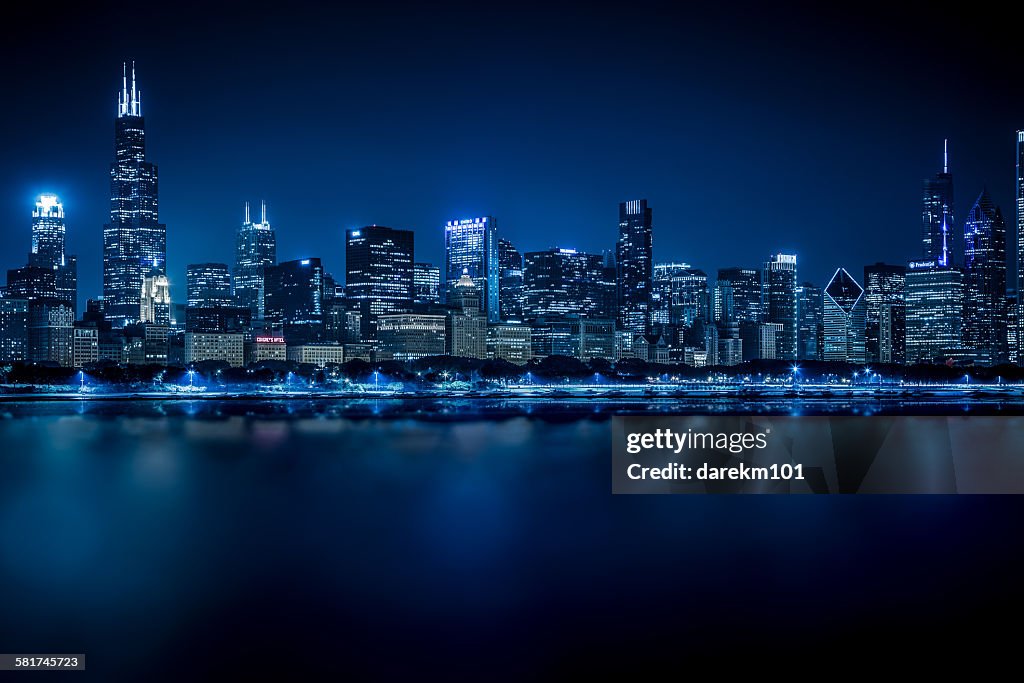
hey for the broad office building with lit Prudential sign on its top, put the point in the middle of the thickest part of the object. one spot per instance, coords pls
(934, 300)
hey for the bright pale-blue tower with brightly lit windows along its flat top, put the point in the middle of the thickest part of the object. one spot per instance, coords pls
(472, 245)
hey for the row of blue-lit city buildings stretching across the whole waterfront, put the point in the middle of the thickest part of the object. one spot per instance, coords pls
(624, 304)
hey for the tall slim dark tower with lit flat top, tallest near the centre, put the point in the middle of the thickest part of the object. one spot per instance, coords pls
(634, 261)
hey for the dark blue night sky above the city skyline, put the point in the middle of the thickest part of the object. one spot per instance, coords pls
(750, 132)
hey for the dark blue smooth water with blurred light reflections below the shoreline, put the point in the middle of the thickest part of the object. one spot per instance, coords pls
(447, 540)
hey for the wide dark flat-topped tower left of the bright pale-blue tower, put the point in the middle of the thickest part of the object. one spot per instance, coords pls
(378, 274)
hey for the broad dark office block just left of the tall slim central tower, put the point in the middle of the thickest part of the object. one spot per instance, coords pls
(565, 282)
